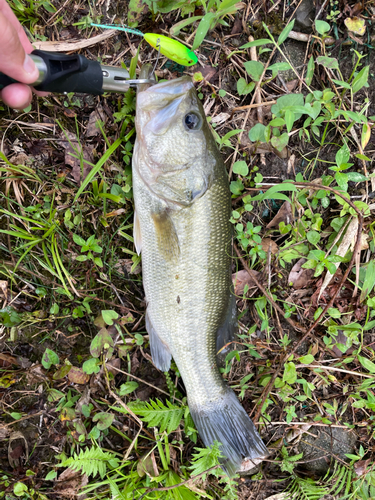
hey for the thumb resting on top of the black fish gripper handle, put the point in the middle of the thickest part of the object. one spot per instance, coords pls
(14, 61)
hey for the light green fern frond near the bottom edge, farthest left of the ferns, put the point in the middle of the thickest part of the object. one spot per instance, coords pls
(91, 462)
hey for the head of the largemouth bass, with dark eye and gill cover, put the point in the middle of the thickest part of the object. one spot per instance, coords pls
(174, 154)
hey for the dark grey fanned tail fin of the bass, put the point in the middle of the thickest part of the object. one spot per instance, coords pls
(227, 422)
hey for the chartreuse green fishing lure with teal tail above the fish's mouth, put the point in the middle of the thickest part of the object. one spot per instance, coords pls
(173, 49)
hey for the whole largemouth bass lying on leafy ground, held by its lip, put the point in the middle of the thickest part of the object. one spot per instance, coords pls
(182, 228)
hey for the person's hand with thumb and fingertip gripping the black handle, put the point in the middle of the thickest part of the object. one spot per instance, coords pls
(14, 61)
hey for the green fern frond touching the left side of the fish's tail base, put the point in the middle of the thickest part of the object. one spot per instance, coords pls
(156, 414)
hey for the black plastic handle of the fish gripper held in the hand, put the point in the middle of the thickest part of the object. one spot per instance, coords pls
(64, 73)
